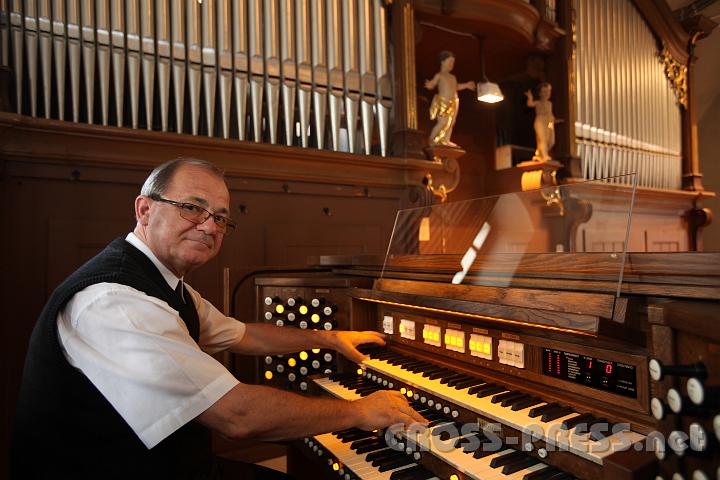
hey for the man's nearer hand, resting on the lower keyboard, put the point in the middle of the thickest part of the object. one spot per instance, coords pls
(384, 408)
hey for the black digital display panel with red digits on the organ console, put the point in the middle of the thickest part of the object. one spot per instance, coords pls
(614, 377)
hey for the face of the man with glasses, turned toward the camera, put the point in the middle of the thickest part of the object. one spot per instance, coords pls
(178, 243)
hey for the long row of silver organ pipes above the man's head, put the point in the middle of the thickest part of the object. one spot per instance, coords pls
(289, 66)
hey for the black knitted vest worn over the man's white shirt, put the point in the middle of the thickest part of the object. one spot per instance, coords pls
(64, 427)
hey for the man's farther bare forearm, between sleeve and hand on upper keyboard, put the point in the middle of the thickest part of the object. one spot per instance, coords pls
(262, 339)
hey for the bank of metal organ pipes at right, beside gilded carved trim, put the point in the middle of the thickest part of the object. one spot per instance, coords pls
(628, 118)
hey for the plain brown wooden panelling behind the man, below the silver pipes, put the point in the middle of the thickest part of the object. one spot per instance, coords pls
(65, 195)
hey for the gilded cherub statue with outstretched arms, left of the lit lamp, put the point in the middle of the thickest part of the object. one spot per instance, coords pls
(445, 103)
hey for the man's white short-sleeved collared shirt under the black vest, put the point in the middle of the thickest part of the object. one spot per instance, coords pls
(138, 353)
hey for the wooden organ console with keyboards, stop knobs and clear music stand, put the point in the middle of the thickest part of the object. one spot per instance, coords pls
(528, 362)
